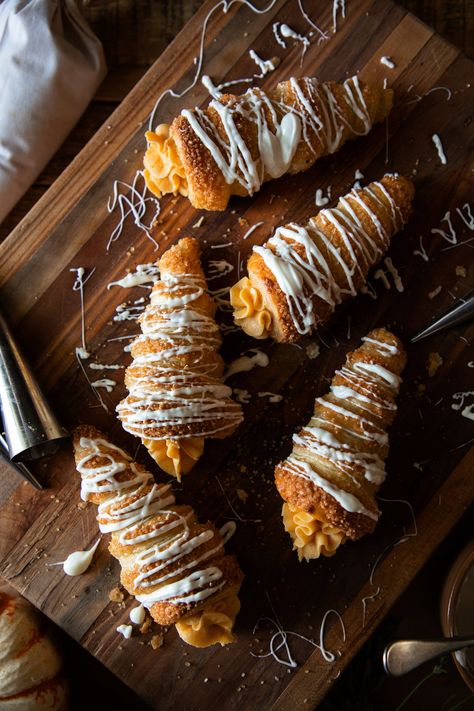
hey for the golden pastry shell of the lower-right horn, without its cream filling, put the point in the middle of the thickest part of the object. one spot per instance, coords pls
(337, 462)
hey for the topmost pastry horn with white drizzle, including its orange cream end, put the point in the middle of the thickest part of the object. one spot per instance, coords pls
(239, 142)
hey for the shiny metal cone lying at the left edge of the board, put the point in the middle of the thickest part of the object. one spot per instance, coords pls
(31, 429)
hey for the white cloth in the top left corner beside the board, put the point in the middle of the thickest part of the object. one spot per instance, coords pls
(51, 64)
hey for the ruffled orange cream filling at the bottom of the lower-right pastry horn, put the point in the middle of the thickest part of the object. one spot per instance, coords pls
(311, 536)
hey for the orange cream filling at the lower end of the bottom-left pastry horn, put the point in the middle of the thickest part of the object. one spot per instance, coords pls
(213, 624)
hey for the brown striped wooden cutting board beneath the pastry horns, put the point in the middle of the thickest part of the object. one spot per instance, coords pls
(430, 464)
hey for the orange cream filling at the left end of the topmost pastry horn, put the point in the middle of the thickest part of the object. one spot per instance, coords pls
(164, 172)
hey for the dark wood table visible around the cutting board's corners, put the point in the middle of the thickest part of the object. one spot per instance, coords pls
(134, 33)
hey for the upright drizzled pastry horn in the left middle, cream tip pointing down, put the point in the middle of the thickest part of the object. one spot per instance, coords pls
(177, 397)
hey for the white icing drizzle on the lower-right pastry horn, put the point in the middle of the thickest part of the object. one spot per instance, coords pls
(365, 385)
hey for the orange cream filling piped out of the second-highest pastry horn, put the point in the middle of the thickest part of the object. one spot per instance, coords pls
(250, 312)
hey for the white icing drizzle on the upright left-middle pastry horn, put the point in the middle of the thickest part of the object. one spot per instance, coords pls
(167, 395)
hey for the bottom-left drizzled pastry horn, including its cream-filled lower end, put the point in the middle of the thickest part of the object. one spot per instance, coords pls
(174, 565)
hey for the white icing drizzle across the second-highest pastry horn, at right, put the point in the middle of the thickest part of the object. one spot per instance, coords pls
(304, 276)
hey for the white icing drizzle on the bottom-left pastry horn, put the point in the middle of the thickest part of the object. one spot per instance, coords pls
(132, 503)
